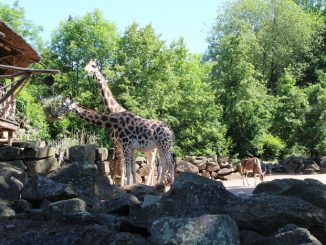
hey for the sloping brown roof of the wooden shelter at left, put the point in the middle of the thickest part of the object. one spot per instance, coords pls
(14, 50)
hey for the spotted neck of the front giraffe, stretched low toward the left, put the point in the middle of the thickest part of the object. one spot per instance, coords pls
(104, 120)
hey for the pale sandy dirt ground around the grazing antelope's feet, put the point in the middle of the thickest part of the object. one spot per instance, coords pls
(235, 183)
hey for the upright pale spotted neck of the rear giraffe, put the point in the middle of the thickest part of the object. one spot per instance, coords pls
(111, 105)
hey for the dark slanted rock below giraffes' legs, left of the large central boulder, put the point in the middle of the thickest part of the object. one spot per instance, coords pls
(119, 204)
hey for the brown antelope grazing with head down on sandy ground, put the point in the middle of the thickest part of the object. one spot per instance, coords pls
(251, 165)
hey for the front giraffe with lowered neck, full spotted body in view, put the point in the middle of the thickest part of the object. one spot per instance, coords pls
(134, 133)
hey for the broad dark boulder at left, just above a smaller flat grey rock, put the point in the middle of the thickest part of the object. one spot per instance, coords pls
(40, 188)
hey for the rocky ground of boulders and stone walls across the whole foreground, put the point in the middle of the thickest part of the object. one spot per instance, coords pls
(44, 202)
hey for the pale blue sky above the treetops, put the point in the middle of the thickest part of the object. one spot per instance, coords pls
(191, 19)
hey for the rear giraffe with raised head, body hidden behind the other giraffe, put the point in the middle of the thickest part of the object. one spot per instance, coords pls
(112, 106)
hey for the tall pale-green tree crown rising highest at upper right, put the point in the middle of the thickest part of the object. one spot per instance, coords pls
(282, 31)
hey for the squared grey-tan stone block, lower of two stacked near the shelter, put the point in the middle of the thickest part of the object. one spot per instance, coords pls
(41, 167)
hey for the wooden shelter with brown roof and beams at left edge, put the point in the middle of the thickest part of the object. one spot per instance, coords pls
(15, 56)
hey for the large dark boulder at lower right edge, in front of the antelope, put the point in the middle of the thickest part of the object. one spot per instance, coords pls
(267, 213)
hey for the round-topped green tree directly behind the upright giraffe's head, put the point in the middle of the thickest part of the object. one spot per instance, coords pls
(73, 44)
